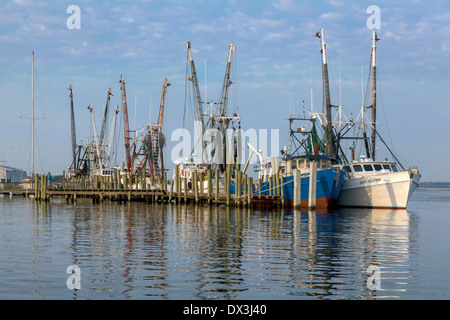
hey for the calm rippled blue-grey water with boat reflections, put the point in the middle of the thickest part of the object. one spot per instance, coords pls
(139, 251)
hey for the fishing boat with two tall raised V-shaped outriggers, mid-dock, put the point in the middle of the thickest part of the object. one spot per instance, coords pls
(214, 146)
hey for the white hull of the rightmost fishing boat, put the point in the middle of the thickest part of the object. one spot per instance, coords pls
(388, 190)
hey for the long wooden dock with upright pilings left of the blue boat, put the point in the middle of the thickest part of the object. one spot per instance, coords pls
(159, 190)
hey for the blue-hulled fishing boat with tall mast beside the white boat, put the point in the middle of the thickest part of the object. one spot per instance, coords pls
(311, 158)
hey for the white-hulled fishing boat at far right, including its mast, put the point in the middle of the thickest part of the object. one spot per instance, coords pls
(371, 183)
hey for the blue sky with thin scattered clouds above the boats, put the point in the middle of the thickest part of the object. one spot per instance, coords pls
(276, 67)
